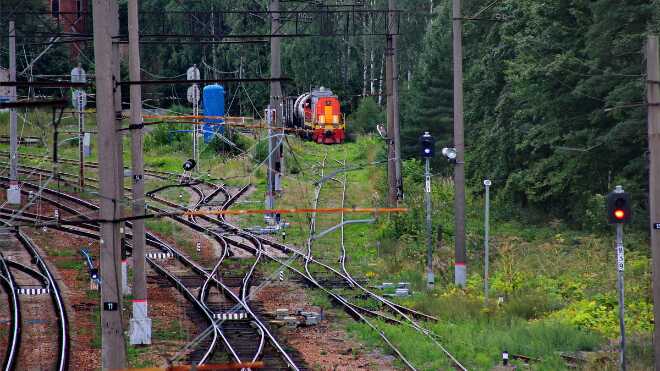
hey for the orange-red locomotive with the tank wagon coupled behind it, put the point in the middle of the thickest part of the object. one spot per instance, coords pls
(318, 114)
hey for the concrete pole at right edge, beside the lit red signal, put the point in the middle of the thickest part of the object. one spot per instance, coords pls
(653, 100)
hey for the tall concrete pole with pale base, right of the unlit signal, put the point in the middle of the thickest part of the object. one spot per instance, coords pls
(460, 269)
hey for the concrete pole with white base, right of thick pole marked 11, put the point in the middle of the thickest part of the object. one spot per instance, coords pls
(140, 324)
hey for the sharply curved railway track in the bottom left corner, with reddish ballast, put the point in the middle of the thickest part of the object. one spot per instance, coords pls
(27, 279)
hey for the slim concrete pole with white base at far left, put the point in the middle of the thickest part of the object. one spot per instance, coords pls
(13, 193)
